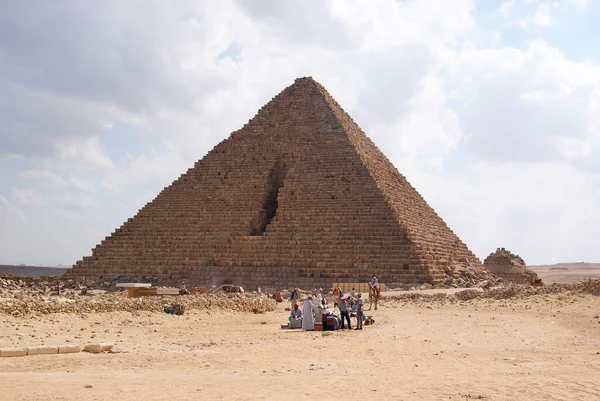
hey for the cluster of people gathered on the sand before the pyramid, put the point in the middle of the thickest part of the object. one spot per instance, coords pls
(345, 304)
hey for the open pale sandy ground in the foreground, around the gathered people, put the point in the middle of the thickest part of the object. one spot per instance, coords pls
(546, 347)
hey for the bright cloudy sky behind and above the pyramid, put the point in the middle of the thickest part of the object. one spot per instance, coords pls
(491, 109)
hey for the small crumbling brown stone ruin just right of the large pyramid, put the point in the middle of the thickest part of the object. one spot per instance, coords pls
(511, 268)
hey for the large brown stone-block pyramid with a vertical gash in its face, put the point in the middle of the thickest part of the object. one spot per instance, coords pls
(299, 196)
